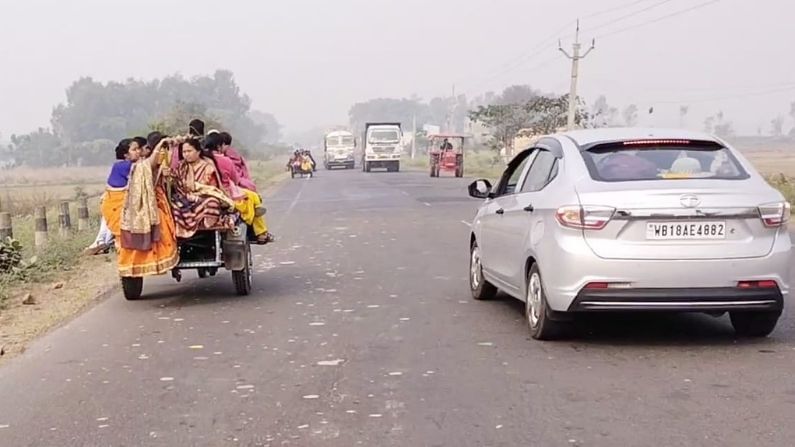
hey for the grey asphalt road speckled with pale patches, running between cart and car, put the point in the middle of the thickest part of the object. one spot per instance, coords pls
(361, 331)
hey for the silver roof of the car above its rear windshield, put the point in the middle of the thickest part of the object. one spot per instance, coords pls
(588, 137)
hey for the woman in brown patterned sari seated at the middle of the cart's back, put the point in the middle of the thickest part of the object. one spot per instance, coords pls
(197, 201)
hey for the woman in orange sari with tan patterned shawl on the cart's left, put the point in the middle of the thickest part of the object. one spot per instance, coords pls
(139, 216)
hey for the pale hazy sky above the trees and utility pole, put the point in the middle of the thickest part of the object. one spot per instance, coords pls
(307, 61)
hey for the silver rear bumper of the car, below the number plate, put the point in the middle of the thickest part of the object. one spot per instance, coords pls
(638, 281)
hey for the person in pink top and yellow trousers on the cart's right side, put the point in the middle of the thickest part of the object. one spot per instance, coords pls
(247, 202)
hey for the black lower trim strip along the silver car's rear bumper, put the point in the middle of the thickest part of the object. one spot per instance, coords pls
(717, 299)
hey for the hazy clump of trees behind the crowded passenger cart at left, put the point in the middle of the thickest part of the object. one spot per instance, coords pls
(85, 128)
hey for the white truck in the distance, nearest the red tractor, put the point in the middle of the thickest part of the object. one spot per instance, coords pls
(382, 146)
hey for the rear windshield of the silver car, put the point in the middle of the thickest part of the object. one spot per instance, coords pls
(625, 161)
